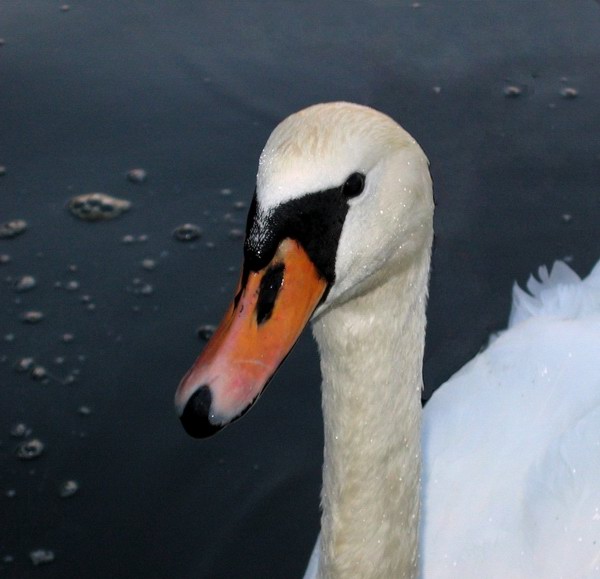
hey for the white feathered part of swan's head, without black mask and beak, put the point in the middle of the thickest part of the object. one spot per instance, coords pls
(317, 149)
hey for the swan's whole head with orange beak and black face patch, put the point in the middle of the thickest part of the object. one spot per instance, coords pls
(343, 201)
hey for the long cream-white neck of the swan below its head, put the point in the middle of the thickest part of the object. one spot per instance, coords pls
(371, 352)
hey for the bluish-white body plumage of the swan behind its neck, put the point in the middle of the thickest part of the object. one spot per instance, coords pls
(511, 444)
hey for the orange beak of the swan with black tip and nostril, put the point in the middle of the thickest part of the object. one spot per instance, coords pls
(259, 329)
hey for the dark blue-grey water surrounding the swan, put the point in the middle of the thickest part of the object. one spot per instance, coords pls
(189, 91)
